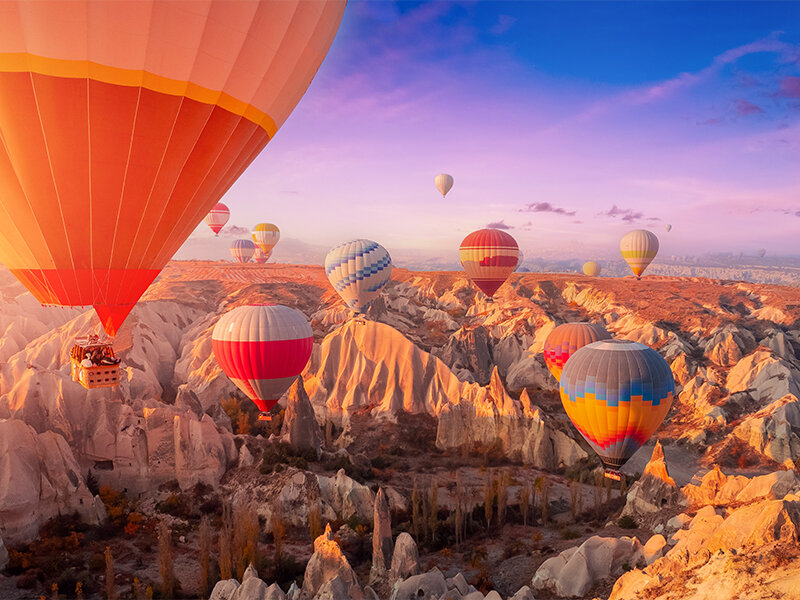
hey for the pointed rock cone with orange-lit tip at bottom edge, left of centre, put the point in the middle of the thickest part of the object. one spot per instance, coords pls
(326, 564)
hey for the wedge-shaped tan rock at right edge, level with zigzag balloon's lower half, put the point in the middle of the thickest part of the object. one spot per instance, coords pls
(774, 431)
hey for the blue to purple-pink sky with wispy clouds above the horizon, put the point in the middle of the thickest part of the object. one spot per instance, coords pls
(565, 123)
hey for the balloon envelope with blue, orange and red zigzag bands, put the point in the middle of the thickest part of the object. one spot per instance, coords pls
(616, 393)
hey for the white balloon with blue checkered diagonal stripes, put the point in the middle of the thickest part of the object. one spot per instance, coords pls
(358, 270)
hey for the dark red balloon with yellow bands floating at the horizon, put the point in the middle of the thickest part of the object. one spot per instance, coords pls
(489, 256)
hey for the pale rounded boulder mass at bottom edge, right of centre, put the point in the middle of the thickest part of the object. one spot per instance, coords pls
(576, 570)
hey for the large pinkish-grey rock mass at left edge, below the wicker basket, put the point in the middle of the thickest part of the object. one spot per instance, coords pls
(41, 479)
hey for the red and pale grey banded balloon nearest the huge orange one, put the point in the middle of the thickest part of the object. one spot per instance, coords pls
(262, 348)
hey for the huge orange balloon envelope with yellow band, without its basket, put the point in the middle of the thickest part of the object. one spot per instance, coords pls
(124, 122)
